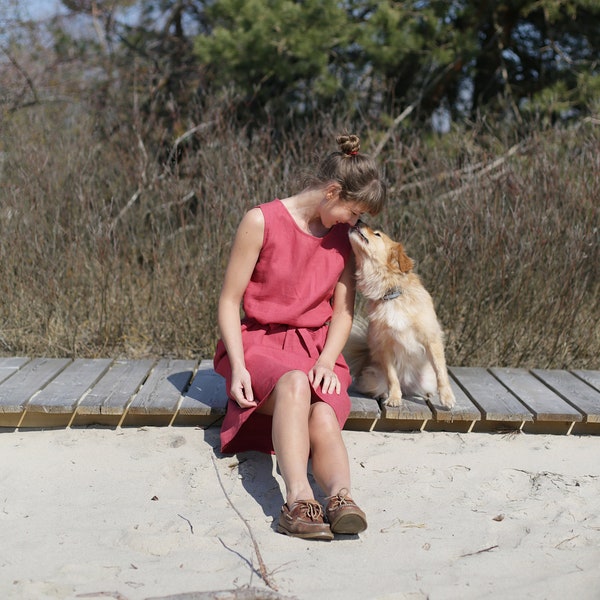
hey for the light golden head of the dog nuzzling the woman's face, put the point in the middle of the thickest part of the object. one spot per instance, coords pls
(374, 246)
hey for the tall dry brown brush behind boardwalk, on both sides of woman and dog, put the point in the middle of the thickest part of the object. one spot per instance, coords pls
(103, 252)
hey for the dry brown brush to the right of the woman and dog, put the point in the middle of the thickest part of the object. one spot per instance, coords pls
(511, 254)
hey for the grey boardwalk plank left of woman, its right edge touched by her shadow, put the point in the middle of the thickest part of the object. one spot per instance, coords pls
(162, 391)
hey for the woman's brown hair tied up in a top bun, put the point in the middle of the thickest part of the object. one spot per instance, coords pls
(356, 173)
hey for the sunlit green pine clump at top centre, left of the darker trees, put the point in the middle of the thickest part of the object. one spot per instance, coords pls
(272, 51)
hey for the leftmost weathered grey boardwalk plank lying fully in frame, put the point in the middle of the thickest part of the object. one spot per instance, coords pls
(63, 393)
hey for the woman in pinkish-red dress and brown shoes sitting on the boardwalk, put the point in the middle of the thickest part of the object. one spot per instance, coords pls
(292, 266)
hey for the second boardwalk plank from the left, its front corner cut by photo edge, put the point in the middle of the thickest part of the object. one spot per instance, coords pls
(17, 390)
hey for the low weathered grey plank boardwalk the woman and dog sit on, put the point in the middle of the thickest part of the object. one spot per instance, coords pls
(56, 392)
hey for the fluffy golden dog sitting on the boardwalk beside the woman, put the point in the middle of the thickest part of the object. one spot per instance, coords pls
(399, 349)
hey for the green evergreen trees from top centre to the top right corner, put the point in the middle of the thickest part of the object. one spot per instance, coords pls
(386, 55)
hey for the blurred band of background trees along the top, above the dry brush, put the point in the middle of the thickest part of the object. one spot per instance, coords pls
(156, 66)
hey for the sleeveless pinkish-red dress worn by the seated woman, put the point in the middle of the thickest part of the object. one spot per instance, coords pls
(287, 309)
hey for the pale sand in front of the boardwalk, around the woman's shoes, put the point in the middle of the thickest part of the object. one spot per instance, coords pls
(157, 512)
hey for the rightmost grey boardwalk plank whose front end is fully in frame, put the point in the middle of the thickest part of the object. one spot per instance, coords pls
(546, 406)
